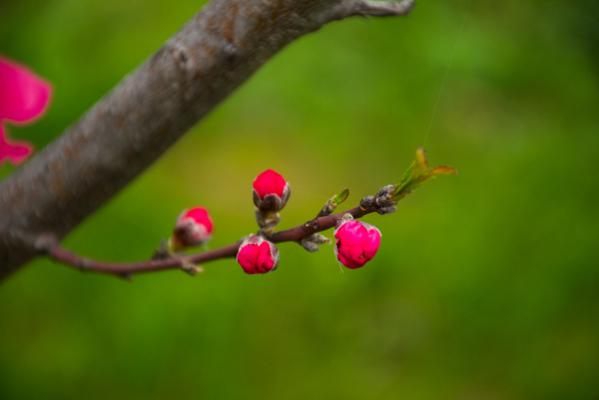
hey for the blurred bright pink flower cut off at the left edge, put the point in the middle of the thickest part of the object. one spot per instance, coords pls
(23, 98)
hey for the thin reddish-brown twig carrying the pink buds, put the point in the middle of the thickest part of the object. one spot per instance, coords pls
(52, 248)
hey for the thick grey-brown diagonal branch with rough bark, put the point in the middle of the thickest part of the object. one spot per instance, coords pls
(149, 110)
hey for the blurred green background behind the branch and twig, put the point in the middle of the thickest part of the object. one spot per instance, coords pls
(486, 285)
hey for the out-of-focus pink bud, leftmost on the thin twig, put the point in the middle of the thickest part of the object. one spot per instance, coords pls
(194, 227)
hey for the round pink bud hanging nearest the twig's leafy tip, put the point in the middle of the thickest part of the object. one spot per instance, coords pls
(356, 243)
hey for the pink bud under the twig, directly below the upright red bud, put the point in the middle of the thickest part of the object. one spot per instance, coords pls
(257, 255)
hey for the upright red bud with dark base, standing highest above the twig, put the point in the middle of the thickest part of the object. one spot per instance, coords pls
(271, 191)
